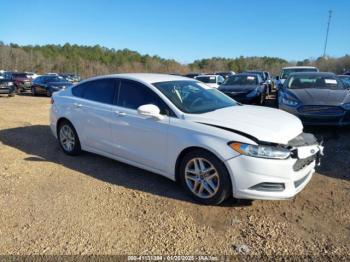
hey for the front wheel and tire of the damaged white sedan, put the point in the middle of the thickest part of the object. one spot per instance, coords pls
(219, 186)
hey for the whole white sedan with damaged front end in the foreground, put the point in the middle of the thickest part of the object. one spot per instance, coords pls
(186, 131)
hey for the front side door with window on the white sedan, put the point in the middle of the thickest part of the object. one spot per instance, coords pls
(138, 138)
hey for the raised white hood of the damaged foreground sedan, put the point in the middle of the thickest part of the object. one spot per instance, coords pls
(263, 123)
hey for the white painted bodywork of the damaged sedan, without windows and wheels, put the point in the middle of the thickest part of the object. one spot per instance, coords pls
(155, 145)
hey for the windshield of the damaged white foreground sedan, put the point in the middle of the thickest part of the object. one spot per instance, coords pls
(193, 97)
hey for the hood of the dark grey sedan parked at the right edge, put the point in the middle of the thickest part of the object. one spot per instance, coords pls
(313, 96)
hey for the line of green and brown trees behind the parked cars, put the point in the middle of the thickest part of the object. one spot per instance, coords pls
(97, 60)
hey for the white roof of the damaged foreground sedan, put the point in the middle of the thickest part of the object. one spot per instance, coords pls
(146, 77)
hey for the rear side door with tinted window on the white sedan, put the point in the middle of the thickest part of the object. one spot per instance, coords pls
(92, 111)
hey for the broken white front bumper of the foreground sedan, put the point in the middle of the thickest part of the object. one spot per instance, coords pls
(276, 179)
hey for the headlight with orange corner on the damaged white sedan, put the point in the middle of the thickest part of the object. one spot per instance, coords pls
(260, 151)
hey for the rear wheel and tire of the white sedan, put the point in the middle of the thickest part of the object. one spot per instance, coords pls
(66, 132)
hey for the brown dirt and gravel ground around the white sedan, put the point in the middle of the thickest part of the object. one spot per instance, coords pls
(55, 204)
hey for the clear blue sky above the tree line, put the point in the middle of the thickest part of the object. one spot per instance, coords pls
(184, 30)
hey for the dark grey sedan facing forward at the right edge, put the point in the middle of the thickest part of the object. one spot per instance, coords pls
(317, 98)
